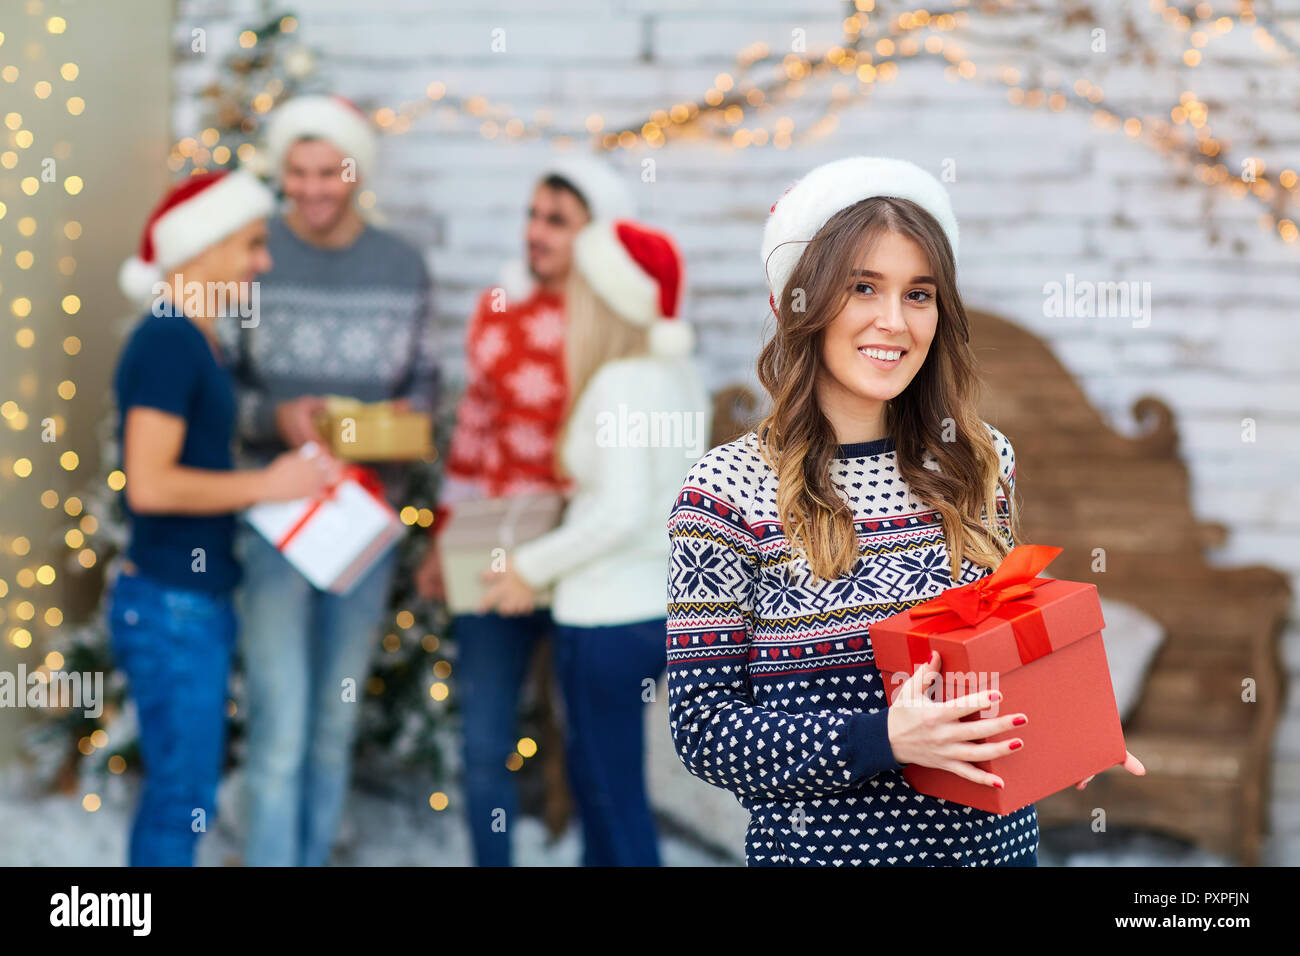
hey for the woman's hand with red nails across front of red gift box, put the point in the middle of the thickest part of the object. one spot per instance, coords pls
(931, 734)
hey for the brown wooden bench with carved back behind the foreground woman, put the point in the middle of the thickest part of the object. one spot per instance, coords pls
(1082, 487)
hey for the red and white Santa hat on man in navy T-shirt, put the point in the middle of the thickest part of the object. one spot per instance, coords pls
(197, 213)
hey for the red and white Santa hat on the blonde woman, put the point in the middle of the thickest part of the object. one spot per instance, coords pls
(638, 272)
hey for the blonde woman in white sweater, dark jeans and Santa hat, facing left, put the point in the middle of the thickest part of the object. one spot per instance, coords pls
(639, 419)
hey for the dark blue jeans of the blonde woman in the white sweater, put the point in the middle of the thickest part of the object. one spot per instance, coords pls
(606, 674)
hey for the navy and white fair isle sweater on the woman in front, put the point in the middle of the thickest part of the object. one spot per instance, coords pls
(773, 687)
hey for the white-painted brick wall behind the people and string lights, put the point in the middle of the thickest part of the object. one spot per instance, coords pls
(1038, 193)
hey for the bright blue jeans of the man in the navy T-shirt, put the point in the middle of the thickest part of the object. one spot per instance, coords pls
(175, 647)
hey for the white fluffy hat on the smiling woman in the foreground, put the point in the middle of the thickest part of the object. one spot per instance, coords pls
(807, 206)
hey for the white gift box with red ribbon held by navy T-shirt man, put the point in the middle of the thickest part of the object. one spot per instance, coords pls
(335, 540)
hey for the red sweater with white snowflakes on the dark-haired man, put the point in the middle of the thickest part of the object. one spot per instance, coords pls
(510, 417)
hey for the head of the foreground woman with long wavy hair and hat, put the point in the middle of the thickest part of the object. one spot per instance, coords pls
(877, 274)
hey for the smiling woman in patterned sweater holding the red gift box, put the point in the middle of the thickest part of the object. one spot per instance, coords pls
(870, 487)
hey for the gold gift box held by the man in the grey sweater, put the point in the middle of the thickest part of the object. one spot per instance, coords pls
(375, 431)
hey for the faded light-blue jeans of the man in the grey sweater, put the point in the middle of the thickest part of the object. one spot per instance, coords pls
(306, 659)
